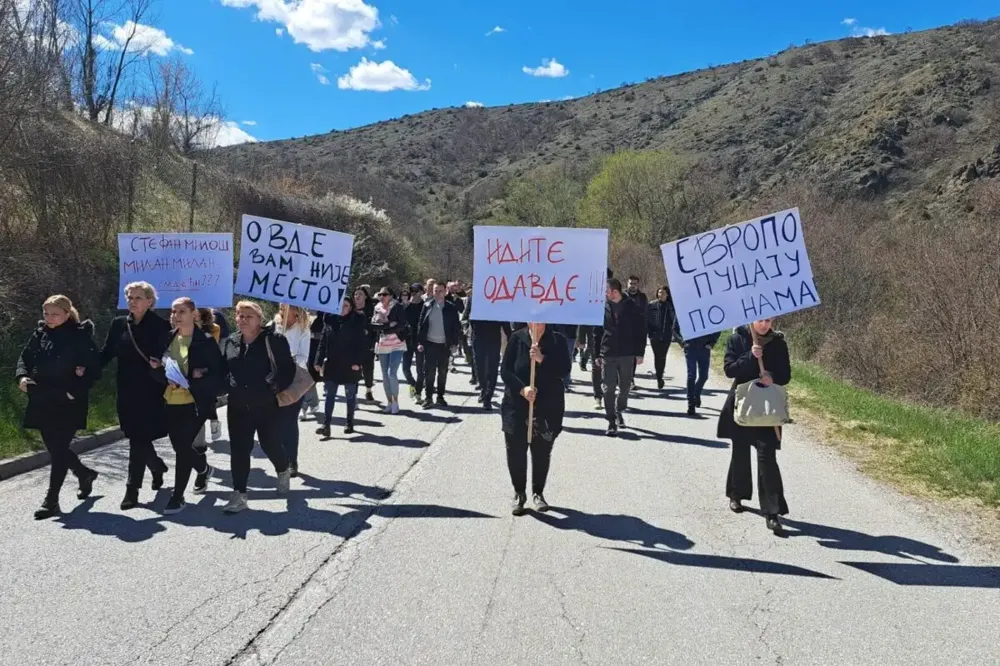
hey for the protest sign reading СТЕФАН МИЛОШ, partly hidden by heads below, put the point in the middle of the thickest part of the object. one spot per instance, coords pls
(196, 265)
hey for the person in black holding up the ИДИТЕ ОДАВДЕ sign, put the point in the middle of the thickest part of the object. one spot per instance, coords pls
(552, 362)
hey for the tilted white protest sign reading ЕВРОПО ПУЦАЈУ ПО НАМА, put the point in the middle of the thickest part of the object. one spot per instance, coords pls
(731, 276)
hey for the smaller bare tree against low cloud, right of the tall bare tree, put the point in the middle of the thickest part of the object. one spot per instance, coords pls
(184, 115)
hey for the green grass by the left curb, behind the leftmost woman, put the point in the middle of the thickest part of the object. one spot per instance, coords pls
(15, 440)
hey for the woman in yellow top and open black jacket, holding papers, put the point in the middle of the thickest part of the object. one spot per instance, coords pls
(192, 364)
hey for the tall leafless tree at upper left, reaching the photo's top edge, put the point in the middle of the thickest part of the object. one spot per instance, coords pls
(103, 66)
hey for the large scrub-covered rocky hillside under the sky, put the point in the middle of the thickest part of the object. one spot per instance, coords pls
(902, 117)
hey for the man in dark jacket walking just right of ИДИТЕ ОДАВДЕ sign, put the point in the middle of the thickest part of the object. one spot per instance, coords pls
(623, 345)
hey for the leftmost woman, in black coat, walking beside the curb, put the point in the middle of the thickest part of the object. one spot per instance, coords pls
(57, 368)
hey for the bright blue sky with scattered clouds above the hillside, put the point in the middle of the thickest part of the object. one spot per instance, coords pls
(289, 68)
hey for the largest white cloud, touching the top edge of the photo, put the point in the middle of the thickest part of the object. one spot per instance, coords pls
(321, 25)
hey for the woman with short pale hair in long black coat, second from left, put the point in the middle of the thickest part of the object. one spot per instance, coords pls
(136, 340)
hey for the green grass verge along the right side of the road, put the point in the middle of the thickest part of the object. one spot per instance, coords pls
(911, 445)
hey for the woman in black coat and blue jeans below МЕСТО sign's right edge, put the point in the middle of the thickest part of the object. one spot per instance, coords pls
(340, 359)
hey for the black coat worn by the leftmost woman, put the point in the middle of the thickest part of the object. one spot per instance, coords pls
(50, 359)
